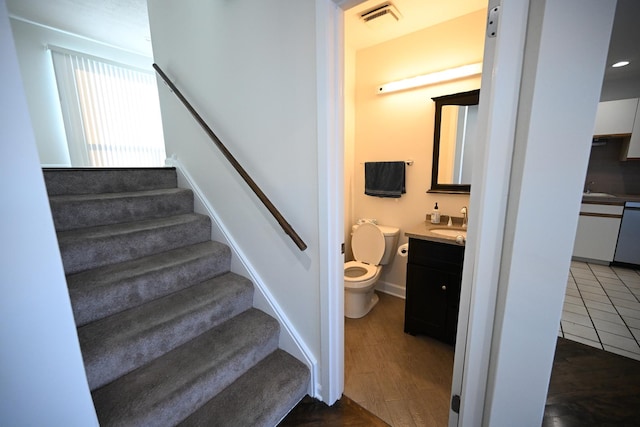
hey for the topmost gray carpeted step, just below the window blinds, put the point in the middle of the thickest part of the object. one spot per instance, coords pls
(107, 180)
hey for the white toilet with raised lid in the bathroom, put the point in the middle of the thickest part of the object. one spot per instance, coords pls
(373, 246)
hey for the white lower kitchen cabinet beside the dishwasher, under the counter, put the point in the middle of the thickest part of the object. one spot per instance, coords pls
(597, 233)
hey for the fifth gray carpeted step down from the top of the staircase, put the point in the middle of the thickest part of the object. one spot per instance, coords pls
(118, 344)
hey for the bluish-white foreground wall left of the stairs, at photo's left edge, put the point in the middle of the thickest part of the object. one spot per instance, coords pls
(42, 375)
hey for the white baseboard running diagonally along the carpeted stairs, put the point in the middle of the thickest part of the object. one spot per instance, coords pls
(290, 340)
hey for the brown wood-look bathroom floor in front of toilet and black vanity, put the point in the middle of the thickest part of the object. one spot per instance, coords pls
(403, 379)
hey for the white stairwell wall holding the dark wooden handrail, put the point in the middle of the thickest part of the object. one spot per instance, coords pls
(249, 68)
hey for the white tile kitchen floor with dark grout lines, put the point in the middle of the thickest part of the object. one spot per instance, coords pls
(602, 308)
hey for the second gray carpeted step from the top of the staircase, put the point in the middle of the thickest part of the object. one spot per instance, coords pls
(90, 210)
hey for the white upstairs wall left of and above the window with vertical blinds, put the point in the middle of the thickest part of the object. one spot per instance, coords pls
(40, 86)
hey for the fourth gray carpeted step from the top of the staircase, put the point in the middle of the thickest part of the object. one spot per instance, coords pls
(106, 290)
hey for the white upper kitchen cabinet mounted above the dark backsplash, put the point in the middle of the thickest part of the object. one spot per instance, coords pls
(616, 117)
